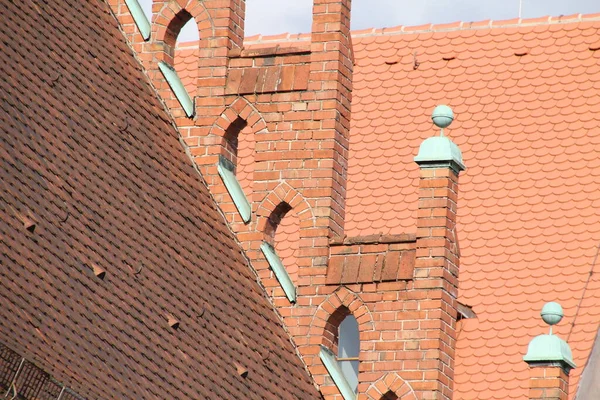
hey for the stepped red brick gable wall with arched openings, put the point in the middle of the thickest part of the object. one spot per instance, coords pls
(290, 109)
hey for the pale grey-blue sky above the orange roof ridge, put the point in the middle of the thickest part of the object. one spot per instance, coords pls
(271, 17)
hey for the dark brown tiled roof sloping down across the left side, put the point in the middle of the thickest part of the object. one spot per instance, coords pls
(94, 176)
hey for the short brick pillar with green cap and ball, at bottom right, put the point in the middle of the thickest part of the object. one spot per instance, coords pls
(550, 360)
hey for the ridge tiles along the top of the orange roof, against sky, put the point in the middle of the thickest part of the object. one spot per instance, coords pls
(411, 29)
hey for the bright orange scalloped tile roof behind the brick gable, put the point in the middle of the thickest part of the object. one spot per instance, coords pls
(527, 105)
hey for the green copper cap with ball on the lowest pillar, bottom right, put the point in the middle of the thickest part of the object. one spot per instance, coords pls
(550, 349)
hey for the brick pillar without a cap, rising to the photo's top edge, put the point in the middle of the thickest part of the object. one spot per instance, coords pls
(330, 80)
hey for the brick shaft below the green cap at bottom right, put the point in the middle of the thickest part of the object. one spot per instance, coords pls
(548, 382)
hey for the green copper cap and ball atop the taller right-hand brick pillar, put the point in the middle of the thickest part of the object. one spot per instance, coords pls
(439, 150)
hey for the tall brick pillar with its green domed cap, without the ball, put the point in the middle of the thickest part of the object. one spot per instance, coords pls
(436, 262)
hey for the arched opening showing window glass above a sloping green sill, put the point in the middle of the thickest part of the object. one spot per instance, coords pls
(340, 352)
